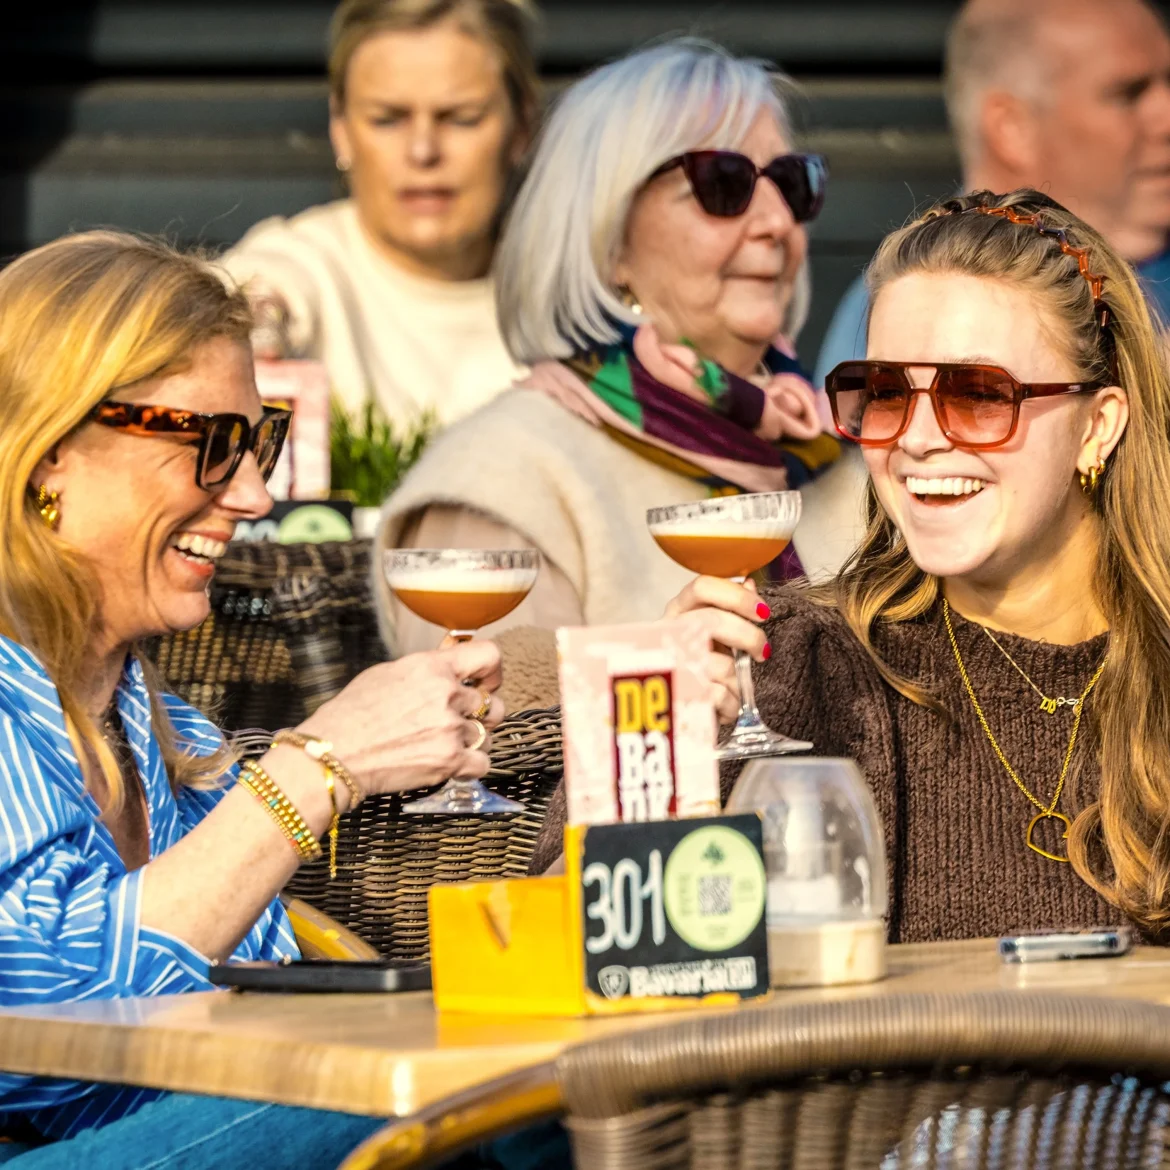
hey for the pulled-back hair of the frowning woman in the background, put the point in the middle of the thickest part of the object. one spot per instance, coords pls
(508, 26)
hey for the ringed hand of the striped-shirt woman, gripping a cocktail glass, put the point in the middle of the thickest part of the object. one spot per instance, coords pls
(409, 725)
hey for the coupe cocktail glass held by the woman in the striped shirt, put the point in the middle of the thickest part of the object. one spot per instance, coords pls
(463, 590)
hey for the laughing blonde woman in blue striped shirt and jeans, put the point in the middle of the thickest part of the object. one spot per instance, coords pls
(133, 442)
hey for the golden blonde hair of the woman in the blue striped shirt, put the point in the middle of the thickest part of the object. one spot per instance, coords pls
(81, 319)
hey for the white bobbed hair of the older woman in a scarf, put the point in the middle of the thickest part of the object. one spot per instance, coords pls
(603, 141)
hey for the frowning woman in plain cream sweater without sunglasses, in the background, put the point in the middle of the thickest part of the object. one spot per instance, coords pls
(432, 106)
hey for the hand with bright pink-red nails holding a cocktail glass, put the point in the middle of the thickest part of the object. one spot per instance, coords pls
(732, 615)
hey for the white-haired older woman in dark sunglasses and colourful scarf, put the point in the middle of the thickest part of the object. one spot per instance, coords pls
(653, 276)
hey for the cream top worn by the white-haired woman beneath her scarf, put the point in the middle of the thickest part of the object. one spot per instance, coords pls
(569, 490)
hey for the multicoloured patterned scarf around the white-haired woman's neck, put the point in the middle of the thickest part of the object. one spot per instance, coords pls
(698, 419)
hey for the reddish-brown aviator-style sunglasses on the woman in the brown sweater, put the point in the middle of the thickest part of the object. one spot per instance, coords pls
(976, 407)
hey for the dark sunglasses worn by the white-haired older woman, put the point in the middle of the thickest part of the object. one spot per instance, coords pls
(725, 181)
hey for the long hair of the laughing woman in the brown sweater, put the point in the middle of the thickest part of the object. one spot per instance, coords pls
(1119, 845)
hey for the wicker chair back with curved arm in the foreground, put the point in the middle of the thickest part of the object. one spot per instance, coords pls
(1006, 1080)
